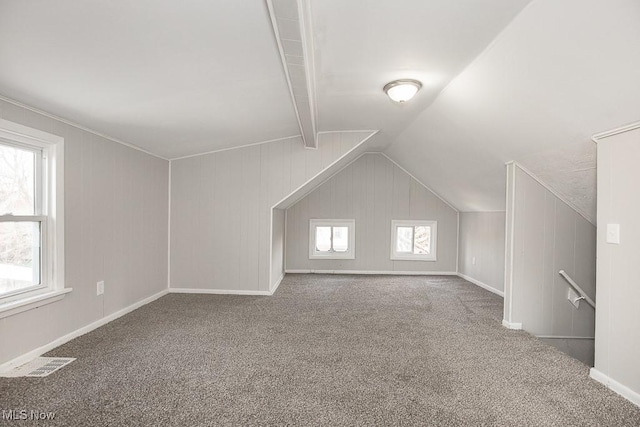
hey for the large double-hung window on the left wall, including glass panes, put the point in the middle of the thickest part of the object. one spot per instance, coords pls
(31, 213)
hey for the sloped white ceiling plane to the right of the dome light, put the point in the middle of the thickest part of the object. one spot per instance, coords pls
(559, 73)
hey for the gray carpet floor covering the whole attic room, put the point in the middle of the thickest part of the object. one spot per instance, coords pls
(325, 350)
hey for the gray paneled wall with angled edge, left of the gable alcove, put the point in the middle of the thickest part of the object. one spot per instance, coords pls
(221, 208)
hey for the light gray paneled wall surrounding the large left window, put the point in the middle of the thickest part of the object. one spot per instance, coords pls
(116, 223)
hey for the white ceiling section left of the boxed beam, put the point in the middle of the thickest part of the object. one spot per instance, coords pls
(175, 78)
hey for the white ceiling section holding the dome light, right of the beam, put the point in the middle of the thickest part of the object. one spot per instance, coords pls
(361, 45)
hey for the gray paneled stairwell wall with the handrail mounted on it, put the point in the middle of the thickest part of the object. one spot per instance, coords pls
(547, 236)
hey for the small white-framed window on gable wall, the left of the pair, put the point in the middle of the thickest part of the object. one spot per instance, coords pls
(332, 239)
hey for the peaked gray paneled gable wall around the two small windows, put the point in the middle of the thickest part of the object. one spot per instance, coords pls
(373, 191)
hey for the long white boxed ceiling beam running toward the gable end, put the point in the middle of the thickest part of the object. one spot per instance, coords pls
(301, 88)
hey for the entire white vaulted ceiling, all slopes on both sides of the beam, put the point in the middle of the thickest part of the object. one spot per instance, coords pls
(503, 80)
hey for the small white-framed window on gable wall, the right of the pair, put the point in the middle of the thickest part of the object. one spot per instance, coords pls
(413, 240)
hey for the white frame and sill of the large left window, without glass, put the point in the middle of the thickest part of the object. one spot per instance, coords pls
(49, 212)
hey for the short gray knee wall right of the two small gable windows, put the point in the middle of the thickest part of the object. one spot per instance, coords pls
(481, 248)
